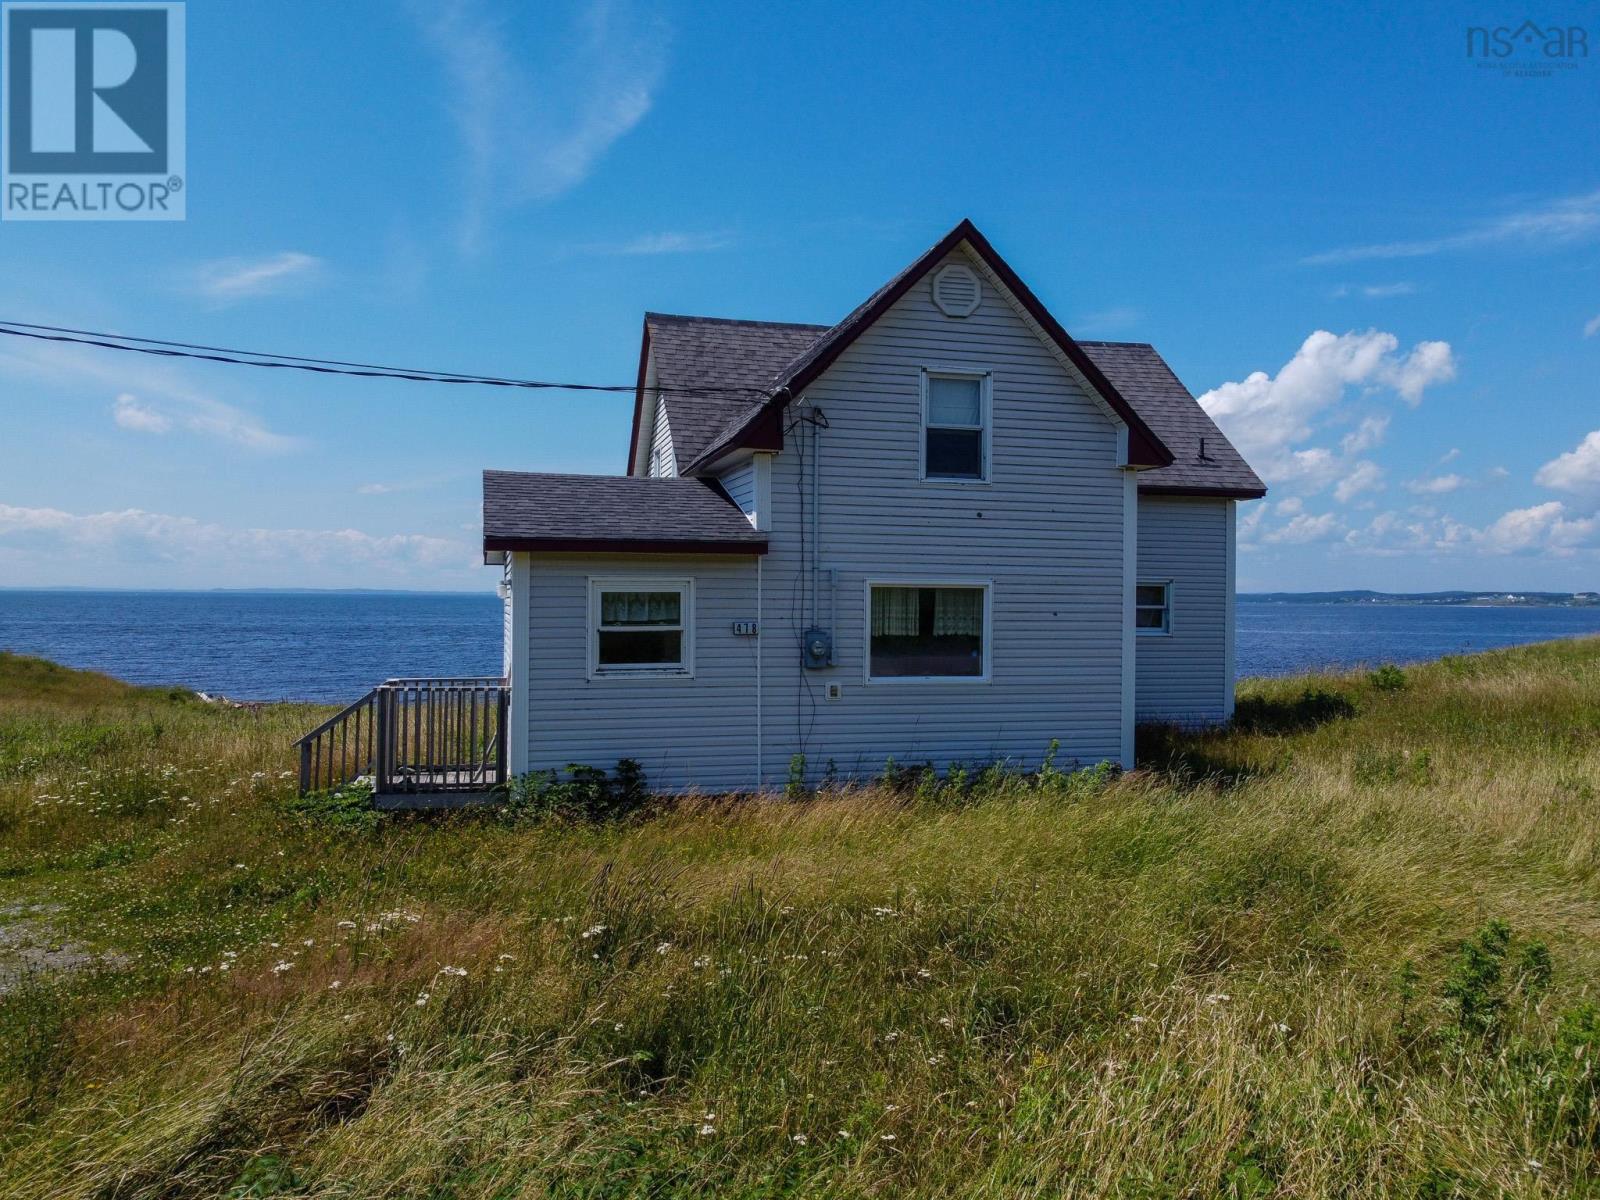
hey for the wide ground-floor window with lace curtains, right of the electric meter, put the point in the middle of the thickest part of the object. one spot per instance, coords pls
(927, 631)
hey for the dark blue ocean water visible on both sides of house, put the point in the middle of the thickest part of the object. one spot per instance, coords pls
(337, 646)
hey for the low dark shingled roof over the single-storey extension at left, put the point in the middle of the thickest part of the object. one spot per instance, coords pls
(527, 511)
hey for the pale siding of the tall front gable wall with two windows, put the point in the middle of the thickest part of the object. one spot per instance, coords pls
(1046, 532)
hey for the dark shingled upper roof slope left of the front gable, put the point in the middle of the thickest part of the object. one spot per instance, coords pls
(711, 353)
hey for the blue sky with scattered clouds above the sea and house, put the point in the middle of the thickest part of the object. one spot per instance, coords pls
(1378, 262)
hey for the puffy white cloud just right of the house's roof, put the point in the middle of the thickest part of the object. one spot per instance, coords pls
(1270, 415)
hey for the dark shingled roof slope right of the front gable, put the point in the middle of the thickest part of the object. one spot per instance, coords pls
(1167, 407)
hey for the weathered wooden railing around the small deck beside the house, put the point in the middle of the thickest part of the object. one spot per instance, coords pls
(412, 737)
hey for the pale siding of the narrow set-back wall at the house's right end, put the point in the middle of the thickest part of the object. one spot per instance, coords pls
(1183, 676)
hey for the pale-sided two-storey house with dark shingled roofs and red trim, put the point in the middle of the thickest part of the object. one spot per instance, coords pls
(942, 530)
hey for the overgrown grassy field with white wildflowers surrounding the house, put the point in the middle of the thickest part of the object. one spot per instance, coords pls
(1348, 948)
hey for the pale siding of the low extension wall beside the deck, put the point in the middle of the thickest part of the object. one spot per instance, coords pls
(687, 734)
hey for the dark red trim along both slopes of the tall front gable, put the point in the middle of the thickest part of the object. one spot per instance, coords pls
(1145, 447)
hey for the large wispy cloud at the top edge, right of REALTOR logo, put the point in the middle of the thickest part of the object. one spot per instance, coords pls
(537, 114)
